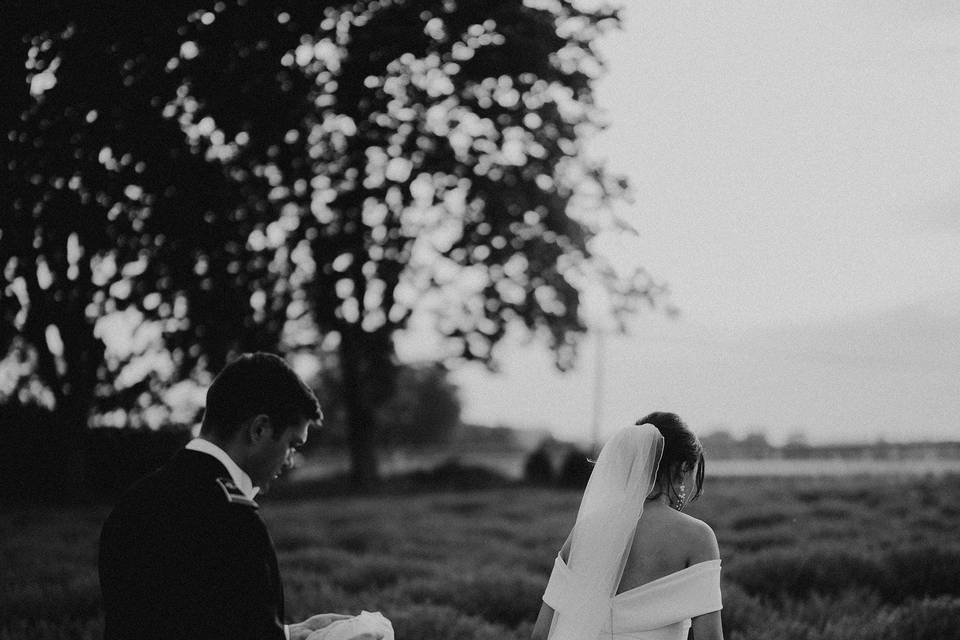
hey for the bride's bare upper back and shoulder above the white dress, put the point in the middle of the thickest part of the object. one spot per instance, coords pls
(666, 541)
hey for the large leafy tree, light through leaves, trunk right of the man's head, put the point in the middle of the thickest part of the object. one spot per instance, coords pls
(313, 177)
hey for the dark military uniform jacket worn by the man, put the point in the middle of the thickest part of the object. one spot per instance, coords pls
(185, 556)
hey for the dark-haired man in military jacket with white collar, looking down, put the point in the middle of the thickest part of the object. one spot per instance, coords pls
(184, 555)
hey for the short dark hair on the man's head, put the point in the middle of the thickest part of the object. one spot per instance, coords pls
(255, 384)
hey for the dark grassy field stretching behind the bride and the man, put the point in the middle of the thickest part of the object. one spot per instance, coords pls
(804, 559)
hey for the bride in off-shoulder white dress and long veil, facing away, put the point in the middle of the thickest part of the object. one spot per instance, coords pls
(635, 566)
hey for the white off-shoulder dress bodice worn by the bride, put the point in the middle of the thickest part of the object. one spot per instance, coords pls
(658, 610)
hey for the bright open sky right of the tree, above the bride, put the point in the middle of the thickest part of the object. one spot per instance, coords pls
(795, 168)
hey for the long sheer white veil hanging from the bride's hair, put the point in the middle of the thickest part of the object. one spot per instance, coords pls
(600, 542)
